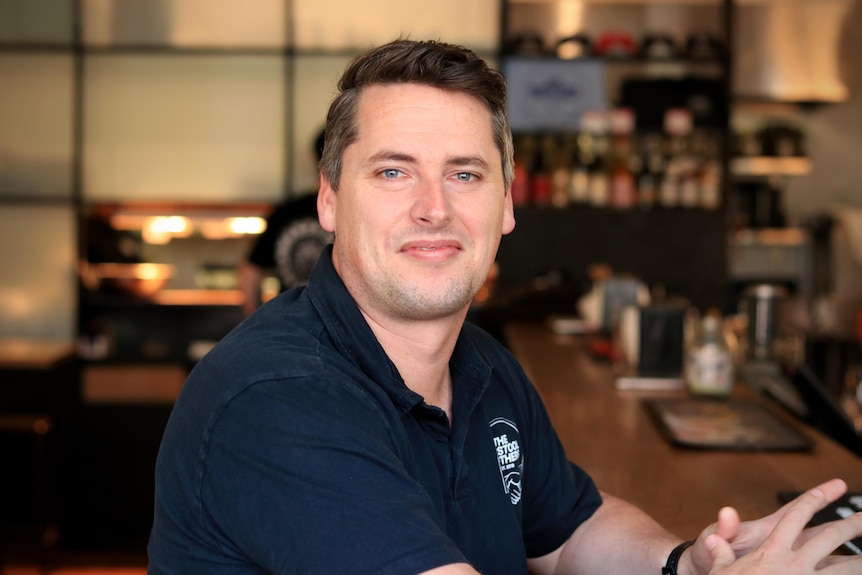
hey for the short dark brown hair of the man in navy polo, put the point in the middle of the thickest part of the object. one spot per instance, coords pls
(433, 63)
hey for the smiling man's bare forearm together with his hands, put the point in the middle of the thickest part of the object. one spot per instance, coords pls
(619, 538)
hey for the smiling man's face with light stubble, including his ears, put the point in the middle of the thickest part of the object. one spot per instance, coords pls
(421, 205)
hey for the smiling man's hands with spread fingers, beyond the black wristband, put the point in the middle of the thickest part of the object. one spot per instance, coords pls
(779, 543)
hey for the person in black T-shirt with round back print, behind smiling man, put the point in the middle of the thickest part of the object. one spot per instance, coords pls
(289, 246)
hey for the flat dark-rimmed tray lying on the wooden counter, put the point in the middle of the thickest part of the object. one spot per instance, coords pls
(721, 424)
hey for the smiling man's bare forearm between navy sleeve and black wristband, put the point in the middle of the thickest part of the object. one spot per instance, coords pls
(618, 538)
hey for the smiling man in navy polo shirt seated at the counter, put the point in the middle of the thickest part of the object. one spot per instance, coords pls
(359, 425)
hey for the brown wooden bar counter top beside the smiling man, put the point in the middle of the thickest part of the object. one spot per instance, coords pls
(611, 435)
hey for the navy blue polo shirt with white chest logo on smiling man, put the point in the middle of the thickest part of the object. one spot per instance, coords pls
(295, 447)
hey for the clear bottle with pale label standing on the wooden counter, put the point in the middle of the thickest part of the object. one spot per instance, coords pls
(708, 361)
